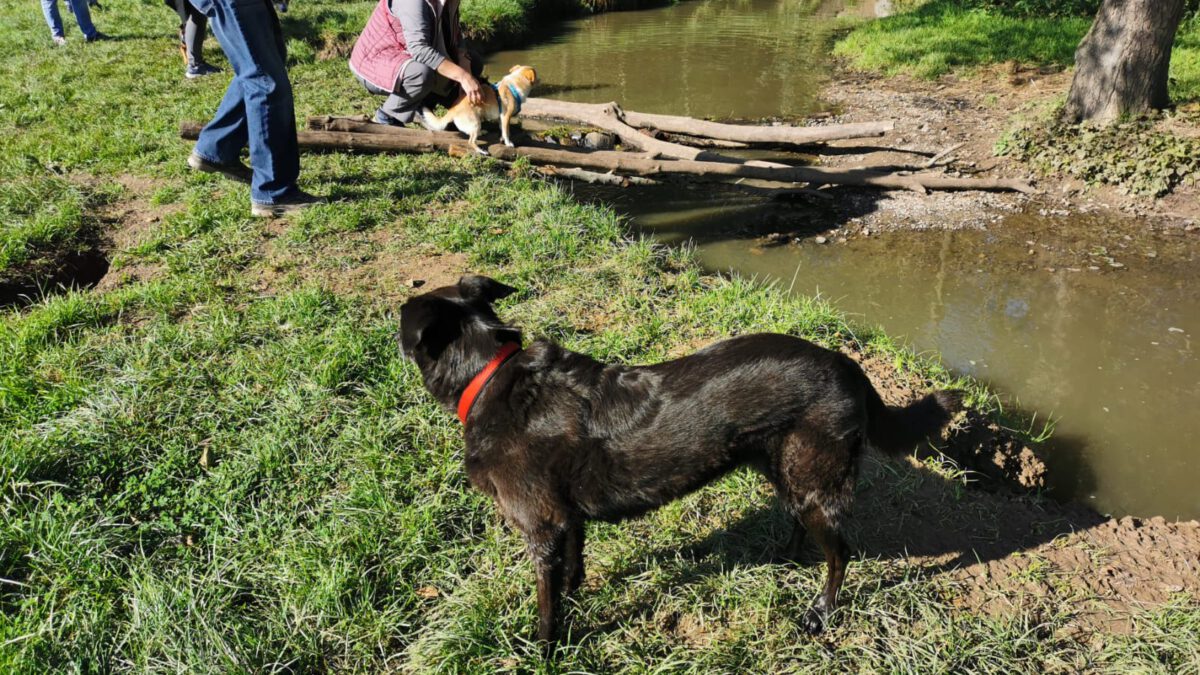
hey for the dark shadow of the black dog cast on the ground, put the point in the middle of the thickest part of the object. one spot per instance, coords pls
(903, 512)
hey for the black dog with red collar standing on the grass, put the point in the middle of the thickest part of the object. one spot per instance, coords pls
(559, 439)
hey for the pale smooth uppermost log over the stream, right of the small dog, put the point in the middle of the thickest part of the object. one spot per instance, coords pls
(689, 127)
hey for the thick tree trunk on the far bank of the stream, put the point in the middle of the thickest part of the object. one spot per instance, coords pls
(1123, 63)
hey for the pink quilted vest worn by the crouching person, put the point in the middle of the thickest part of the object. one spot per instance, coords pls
(380, 55)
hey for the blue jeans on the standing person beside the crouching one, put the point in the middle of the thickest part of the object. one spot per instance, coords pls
(257, 109)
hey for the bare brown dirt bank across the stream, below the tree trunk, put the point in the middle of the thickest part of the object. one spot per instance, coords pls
(973, 115)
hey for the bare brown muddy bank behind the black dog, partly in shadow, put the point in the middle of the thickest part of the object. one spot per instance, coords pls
(1001, 547)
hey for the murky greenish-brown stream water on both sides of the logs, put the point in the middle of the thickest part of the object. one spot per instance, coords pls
(1088, 320)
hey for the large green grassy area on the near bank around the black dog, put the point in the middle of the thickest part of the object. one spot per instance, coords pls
(203, 474)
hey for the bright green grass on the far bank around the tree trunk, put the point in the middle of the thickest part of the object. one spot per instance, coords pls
(934, 38)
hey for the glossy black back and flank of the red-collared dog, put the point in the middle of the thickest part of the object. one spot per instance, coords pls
(641, 437)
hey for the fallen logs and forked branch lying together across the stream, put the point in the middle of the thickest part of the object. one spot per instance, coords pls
(657, 159)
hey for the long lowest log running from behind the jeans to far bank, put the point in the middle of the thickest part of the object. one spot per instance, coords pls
(415, 141)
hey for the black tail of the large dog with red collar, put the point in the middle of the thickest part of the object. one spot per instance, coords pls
(899, 431)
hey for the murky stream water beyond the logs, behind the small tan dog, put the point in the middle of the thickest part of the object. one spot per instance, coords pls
(717, 58)
